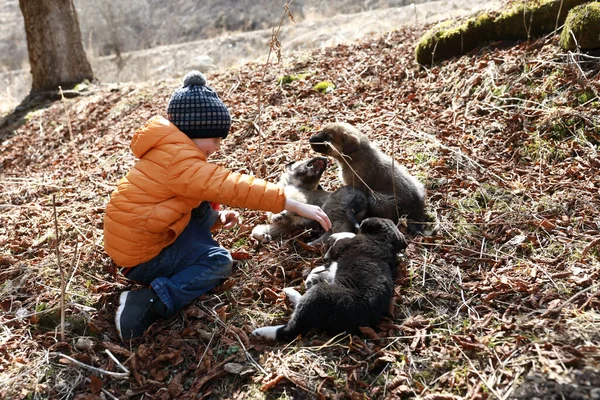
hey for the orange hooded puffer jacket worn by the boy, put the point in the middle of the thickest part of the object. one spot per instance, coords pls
(153, 202)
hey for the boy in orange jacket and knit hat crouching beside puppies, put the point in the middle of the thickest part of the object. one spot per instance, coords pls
(158, 222)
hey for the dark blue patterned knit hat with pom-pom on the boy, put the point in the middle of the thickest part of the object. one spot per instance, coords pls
(196, 110)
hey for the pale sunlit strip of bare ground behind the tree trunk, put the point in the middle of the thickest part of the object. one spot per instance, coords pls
(234, 49)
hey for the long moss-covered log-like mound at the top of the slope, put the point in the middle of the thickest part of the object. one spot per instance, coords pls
(519, 21)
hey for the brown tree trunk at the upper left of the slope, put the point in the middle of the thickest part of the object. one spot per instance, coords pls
(54, 43)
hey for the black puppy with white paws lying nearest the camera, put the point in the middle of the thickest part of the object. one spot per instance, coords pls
(354, 290)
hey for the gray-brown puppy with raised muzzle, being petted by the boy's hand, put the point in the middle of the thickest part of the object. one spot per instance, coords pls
(345, 207)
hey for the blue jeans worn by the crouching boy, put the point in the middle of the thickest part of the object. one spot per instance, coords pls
(190, 266)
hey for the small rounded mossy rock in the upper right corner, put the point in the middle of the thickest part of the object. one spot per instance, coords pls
(582, 23)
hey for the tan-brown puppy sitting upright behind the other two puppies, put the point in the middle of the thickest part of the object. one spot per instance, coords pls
(393, 192)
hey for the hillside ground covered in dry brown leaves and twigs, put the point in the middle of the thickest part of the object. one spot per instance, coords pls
(502, 303)
